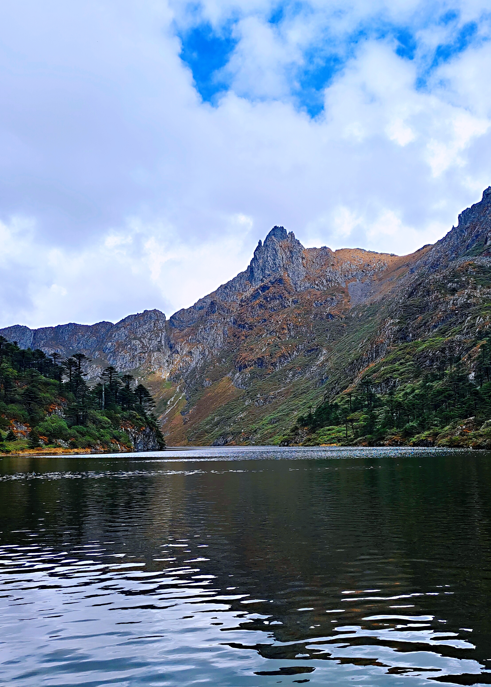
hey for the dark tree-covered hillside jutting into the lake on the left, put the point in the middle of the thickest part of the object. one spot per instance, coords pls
(47, 404)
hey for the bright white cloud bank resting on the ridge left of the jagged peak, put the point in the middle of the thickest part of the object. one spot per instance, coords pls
(147, 267)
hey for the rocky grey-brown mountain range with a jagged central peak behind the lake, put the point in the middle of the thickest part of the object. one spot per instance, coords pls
(297, 327)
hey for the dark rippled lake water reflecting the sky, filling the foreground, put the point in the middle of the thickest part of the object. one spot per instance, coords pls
(247, 567)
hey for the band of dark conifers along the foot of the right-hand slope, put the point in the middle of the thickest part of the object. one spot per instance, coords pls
(431, 400)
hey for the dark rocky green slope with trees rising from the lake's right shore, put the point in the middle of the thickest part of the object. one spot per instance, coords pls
(435, 352)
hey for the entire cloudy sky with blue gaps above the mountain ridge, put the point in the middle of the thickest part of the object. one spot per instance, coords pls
(147, 145)
